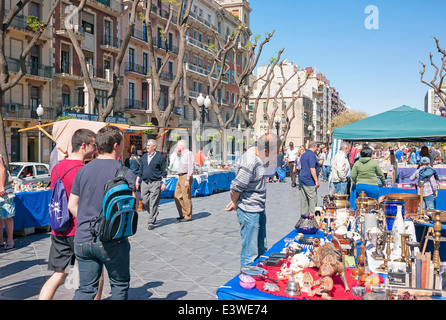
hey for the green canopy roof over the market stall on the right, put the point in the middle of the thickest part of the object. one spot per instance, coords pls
(403, 124)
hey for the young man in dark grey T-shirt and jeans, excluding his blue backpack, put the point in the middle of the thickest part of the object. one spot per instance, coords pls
(85, 204)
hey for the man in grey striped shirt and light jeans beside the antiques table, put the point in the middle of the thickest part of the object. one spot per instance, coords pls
(248, 196)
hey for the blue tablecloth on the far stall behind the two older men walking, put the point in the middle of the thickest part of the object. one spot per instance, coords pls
(203, 185)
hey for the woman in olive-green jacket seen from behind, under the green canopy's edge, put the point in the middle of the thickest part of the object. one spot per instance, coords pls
(365, 172)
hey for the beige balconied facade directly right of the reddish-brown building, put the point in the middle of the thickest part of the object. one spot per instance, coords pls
(137, 98)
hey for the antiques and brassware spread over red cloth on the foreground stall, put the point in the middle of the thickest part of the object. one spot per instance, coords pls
(368, 253)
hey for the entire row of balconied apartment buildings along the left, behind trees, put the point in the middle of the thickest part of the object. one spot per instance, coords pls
(55, 78)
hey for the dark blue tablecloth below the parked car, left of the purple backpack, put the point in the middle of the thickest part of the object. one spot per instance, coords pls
(31, 209)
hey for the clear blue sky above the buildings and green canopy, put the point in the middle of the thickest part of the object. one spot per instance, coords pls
(374, 70)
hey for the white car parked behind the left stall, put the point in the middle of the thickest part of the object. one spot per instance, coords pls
(26, 172)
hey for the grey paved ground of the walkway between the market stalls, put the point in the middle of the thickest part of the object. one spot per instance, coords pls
(174, 261)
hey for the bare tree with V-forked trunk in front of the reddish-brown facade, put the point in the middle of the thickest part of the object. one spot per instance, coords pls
(103, 111)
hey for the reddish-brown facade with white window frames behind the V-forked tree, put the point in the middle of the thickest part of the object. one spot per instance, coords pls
(95, 28)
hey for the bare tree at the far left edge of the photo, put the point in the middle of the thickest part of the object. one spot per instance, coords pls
(5, 82)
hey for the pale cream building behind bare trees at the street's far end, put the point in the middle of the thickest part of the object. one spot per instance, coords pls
(312, 111)
